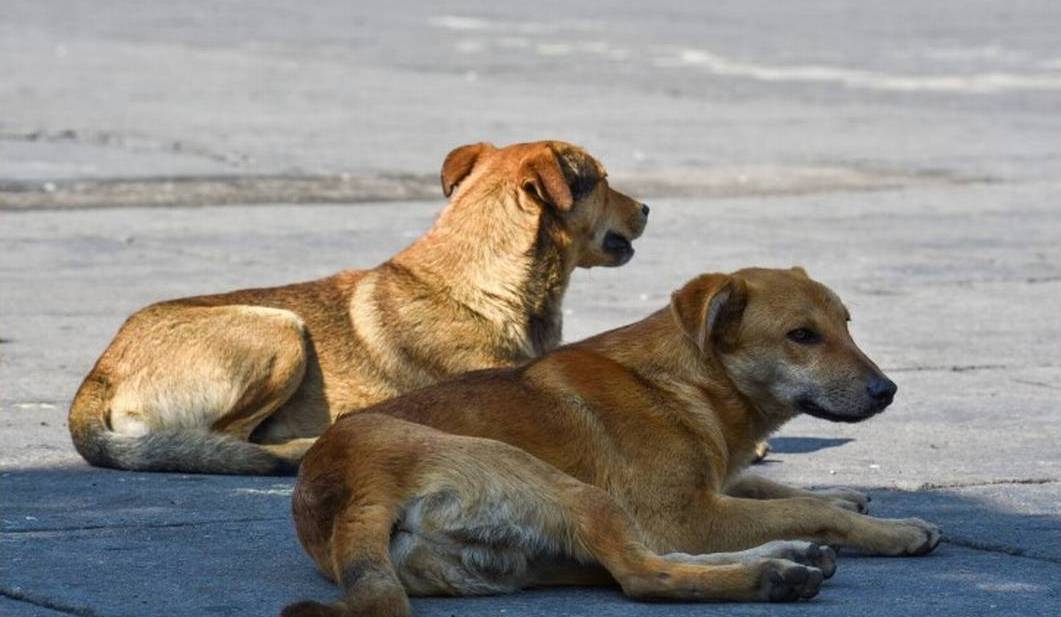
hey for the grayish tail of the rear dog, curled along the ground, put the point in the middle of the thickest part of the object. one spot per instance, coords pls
(168, 450)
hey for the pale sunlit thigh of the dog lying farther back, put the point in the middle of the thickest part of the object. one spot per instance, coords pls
(223, 368)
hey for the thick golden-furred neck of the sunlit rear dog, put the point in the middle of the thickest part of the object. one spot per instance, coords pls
(501, 265)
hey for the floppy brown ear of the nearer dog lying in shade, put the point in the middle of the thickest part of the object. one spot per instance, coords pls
(709, 310)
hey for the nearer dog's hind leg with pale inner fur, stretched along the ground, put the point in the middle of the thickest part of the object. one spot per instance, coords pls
(513, 518)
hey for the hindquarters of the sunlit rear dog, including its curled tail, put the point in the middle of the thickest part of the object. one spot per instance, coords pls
(183, 387)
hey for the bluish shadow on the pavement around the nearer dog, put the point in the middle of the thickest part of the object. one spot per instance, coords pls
(96, 542)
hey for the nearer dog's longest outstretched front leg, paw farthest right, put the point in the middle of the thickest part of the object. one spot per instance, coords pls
(736, 523)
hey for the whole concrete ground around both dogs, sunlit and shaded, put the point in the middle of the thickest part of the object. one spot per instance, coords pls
(907, 153)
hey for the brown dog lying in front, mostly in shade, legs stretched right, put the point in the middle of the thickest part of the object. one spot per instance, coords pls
(622, 452)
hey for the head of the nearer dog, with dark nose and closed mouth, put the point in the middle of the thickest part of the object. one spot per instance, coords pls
(784, 341)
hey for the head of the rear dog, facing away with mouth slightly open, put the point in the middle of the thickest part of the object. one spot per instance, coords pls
(560, 184)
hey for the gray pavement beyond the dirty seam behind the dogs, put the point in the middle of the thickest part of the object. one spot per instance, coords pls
(125, 89)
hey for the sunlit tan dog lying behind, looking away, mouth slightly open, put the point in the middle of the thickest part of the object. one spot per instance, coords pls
(245, 382)
